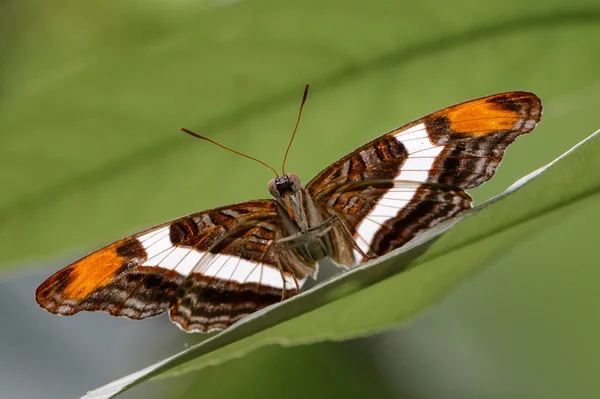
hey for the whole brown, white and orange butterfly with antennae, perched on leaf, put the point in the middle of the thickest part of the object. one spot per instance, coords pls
(212, 268)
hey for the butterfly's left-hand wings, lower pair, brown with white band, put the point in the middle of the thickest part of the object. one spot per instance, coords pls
(209, 269)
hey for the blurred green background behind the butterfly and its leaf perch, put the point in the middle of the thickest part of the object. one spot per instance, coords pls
(91, 98)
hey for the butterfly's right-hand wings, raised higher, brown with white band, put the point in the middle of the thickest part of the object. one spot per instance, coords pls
(413, 177)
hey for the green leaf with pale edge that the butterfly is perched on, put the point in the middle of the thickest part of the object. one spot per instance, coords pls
(357, 303)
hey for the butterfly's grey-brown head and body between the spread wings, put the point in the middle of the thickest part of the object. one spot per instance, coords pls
(305, 227)
